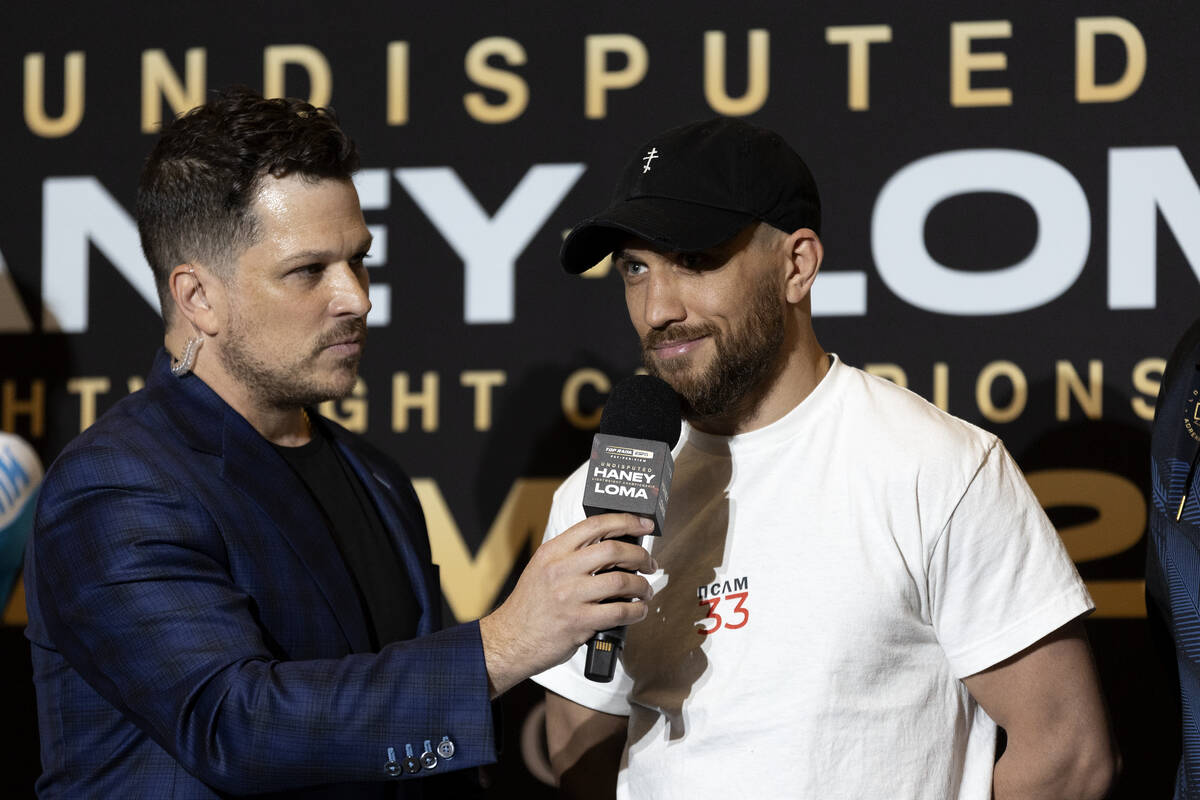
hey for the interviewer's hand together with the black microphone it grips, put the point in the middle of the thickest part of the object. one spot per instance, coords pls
(586, 579)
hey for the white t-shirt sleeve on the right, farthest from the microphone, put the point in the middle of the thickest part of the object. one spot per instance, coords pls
(1000, 578)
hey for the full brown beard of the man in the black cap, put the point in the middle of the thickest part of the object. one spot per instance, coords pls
(747, 358)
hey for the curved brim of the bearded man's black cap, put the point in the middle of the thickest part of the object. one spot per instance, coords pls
(674, 225)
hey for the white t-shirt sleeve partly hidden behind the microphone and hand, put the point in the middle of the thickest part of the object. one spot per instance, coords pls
(567, 679)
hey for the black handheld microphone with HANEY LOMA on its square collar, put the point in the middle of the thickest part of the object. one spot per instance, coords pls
(631, 471)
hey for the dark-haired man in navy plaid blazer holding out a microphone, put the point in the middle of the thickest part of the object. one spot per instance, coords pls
(230, 596)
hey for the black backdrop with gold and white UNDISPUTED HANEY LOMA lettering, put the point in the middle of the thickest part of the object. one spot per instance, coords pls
(1010, 199)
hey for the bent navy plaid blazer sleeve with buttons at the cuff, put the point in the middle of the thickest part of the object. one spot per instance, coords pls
(135, 588)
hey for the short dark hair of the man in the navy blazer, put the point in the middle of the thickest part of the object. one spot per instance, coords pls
(201, 178)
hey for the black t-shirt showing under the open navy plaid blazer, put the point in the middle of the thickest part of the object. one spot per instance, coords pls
(380, 578)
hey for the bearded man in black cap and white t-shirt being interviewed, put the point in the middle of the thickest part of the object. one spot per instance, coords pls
(855, 588)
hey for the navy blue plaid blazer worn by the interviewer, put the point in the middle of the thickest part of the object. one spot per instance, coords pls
(197, 635)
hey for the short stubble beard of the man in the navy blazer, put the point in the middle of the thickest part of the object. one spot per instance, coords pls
(279, 387)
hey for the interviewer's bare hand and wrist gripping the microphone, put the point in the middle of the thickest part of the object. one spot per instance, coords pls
(559, 601)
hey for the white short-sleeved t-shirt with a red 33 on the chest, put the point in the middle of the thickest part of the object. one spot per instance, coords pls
(825, 584)
